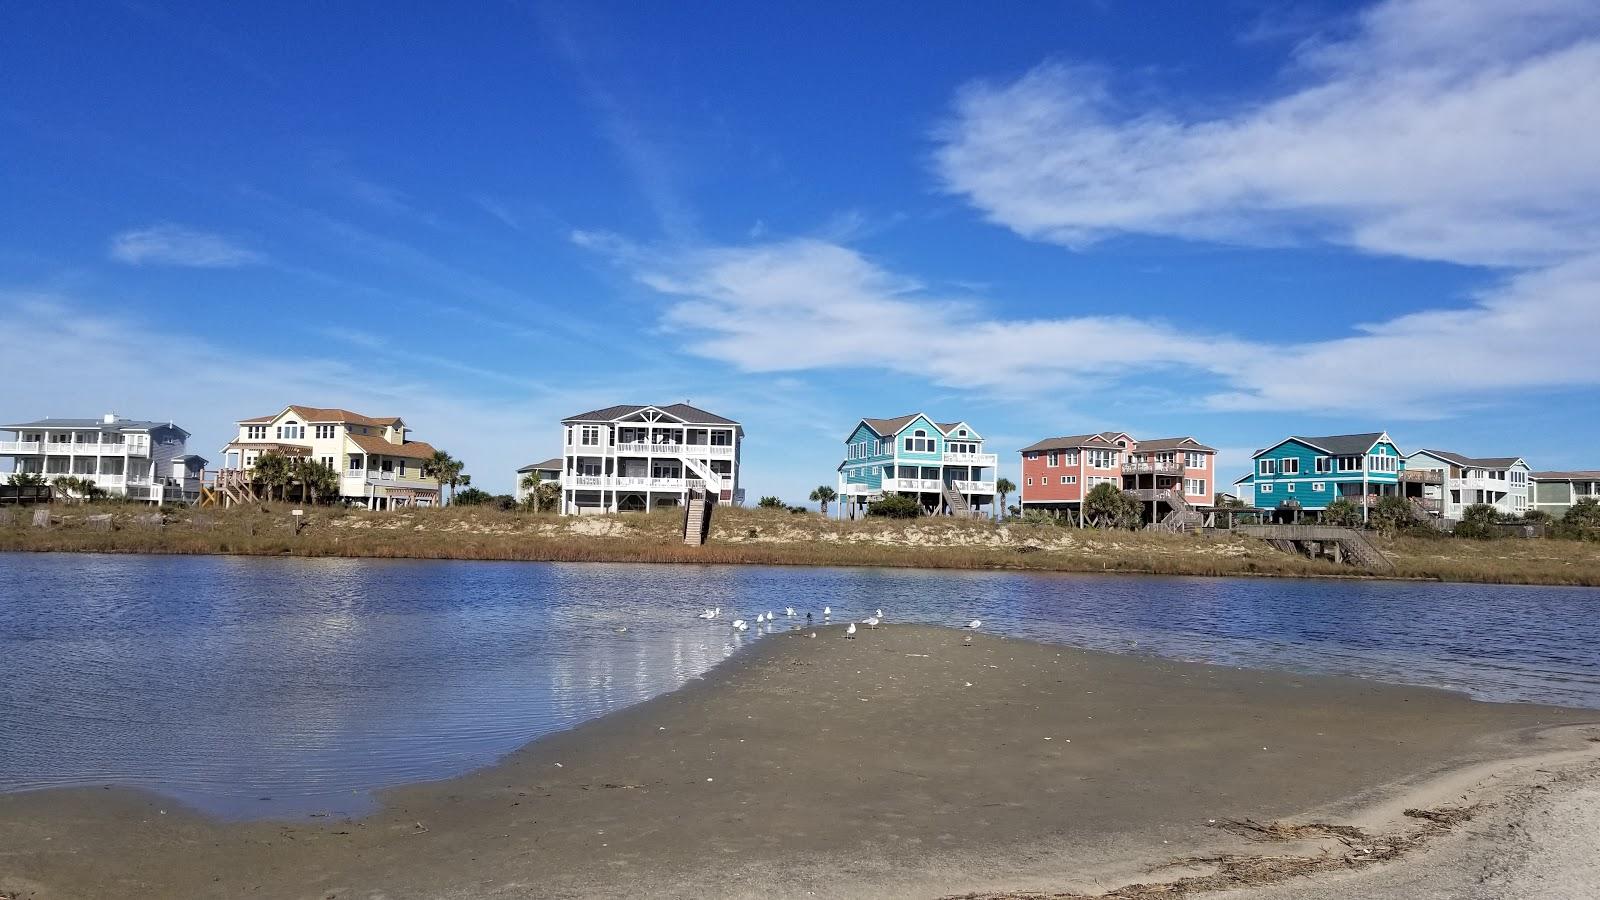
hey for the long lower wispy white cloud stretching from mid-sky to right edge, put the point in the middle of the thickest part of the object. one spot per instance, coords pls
(812, 305)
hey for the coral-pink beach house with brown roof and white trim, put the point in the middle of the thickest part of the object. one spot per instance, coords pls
(1174, 476)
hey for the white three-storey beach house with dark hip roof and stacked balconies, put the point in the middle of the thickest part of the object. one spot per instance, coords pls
(647, 457)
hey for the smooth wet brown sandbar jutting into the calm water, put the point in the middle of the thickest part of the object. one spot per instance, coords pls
(897, 765)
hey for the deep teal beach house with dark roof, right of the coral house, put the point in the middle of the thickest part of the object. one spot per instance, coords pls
(1305, 475)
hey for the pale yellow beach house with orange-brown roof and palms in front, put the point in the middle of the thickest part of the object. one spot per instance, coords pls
(378, 465)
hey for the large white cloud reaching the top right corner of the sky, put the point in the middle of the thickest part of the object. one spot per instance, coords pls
(1457, 131)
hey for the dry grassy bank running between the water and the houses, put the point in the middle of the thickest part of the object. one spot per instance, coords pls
(766, 539)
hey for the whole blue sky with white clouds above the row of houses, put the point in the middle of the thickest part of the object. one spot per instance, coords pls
(1234, 222)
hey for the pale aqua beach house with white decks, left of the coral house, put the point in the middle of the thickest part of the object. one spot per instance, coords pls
(943, 465)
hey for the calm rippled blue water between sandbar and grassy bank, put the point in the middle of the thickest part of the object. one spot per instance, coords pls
(287, 686)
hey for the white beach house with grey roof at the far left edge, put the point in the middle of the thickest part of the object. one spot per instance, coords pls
(134, 459)
